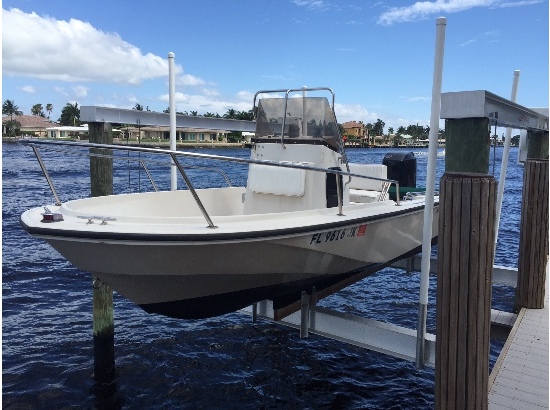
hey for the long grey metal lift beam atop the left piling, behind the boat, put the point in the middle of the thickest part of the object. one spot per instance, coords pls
(90, 113)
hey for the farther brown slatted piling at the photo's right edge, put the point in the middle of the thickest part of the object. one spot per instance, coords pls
(533, 241)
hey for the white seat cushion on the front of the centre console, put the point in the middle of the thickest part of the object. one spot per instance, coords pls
(265, 179)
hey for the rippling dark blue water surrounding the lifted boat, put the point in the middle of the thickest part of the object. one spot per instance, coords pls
(223, 362)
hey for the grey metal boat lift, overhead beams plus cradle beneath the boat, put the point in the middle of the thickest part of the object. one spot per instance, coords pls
(303, 313)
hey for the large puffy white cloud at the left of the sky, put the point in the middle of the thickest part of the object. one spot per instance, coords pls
(74, 51)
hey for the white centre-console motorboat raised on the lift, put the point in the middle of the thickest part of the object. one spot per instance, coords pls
(306, 218)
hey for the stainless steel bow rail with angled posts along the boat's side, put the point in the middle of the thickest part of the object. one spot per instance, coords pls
(175, 154)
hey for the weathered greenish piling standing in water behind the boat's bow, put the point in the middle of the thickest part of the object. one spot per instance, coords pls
(101, 178)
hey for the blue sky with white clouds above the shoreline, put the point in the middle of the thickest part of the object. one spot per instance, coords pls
(377, 56)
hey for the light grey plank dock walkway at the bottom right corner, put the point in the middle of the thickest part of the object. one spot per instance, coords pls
(520, 376)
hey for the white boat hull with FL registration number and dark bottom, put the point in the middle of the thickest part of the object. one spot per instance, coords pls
(206, 272)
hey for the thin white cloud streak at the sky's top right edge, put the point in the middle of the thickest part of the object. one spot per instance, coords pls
(423, 9)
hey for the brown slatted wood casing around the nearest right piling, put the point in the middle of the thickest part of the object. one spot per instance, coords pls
(465, 258)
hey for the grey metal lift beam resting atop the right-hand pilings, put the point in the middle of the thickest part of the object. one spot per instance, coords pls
(484, 104)
